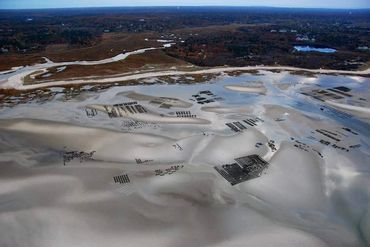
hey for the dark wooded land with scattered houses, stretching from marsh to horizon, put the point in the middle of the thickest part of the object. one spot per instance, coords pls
(209, 36)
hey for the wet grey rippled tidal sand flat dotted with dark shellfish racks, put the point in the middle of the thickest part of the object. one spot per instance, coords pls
(81, 176)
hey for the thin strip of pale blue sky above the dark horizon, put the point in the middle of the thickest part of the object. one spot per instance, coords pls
(19, 4)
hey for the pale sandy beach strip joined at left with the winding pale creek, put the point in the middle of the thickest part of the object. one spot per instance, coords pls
(16, 81)
